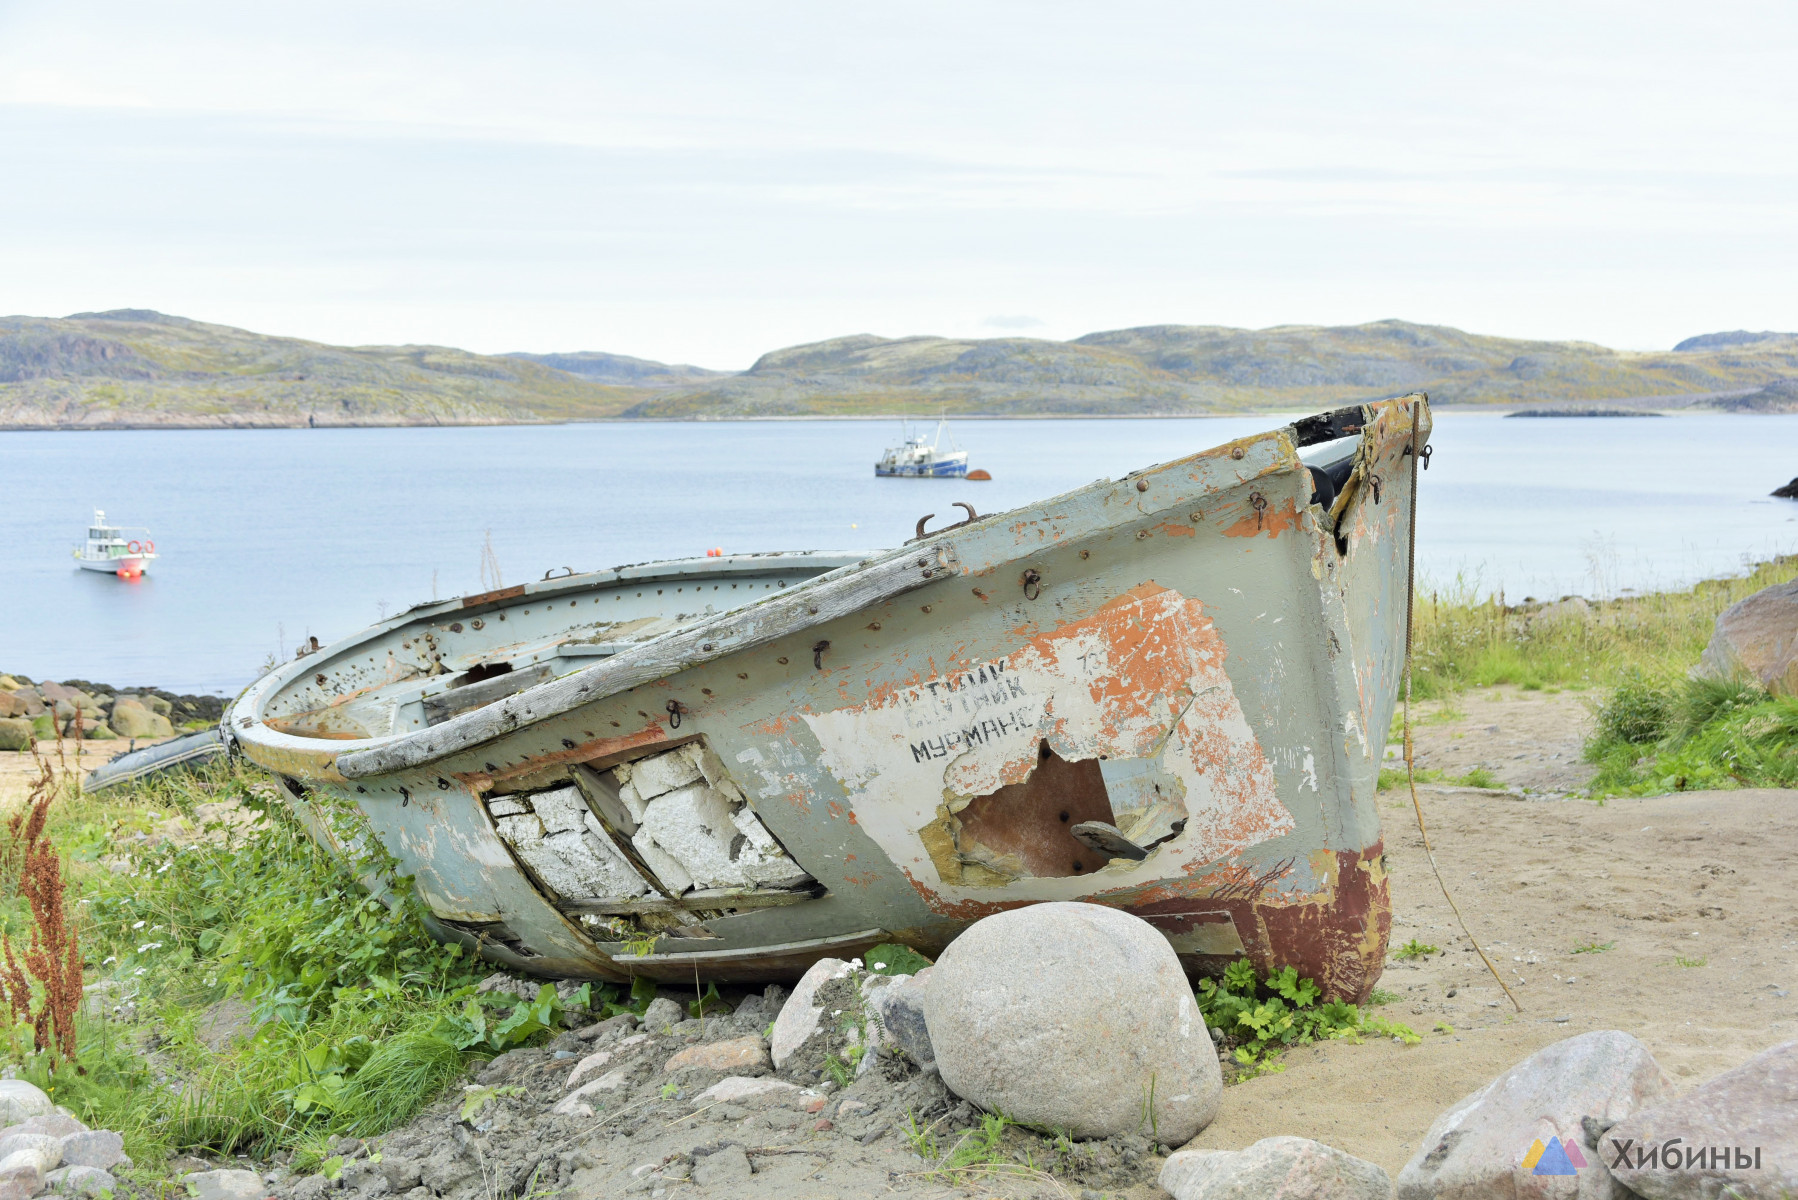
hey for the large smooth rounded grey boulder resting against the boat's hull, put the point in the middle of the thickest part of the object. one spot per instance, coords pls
(1074, 1017)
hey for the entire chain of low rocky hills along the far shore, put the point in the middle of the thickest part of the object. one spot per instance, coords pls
(136, 368)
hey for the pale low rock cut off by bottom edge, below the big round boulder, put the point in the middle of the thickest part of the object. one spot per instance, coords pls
(1276, 1169)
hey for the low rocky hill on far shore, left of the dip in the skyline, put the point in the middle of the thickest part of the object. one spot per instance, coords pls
(138, 368)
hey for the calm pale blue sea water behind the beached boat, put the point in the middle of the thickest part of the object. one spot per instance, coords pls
(276, 535)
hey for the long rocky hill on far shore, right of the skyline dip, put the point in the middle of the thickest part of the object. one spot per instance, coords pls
(1216, 370)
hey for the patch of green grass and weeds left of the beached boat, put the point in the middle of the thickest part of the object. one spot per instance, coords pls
(357, 1017)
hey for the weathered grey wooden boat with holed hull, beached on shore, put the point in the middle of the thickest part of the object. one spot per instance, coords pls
(1166, 694)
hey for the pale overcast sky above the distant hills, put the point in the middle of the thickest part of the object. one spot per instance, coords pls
(702, 183)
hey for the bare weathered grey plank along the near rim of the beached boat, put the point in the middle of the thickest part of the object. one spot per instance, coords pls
(819, 602)
